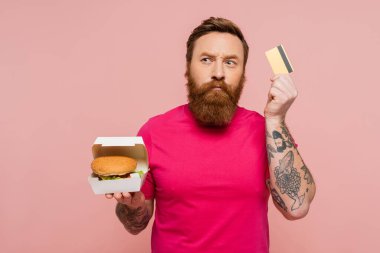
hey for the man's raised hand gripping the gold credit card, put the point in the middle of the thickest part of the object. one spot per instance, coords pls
(281, 95)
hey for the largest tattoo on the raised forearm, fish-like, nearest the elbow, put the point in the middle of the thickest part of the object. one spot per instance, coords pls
(288, 180)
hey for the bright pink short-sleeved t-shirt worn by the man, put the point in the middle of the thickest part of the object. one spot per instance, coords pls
(209, 184)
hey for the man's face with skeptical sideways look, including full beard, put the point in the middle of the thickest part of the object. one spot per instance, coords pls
(215, 78)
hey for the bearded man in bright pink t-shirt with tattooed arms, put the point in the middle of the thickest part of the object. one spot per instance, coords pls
(213, 163)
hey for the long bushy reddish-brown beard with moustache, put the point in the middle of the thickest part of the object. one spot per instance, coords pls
(213, 107)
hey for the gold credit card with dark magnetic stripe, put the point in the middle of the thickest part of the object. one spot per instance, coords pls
(279, 61)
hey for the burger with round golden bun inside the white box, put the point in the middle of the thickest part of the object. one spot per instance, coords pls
(113, 167)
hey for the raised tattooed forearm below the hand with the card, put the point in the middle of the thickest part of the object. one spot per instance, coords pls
(291, 183)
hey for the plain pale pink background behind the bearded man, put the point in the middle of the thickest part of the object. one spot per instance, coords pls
(74, 70)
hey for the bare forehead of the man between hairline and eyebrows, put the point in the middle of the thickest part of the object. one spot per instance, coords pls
(219, 44)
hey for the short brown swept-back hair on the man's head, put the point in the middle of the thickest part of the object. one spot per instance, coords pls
(213, 24)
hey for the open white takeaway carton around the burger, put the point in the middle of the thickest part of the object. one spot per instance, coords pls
(133, 147)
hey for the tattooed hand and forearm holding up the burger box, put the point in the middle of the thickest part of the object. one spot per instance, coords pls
(133, 211)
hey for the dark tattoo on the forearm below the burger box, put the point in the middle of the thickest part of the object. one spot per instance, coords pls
(134, 220)
